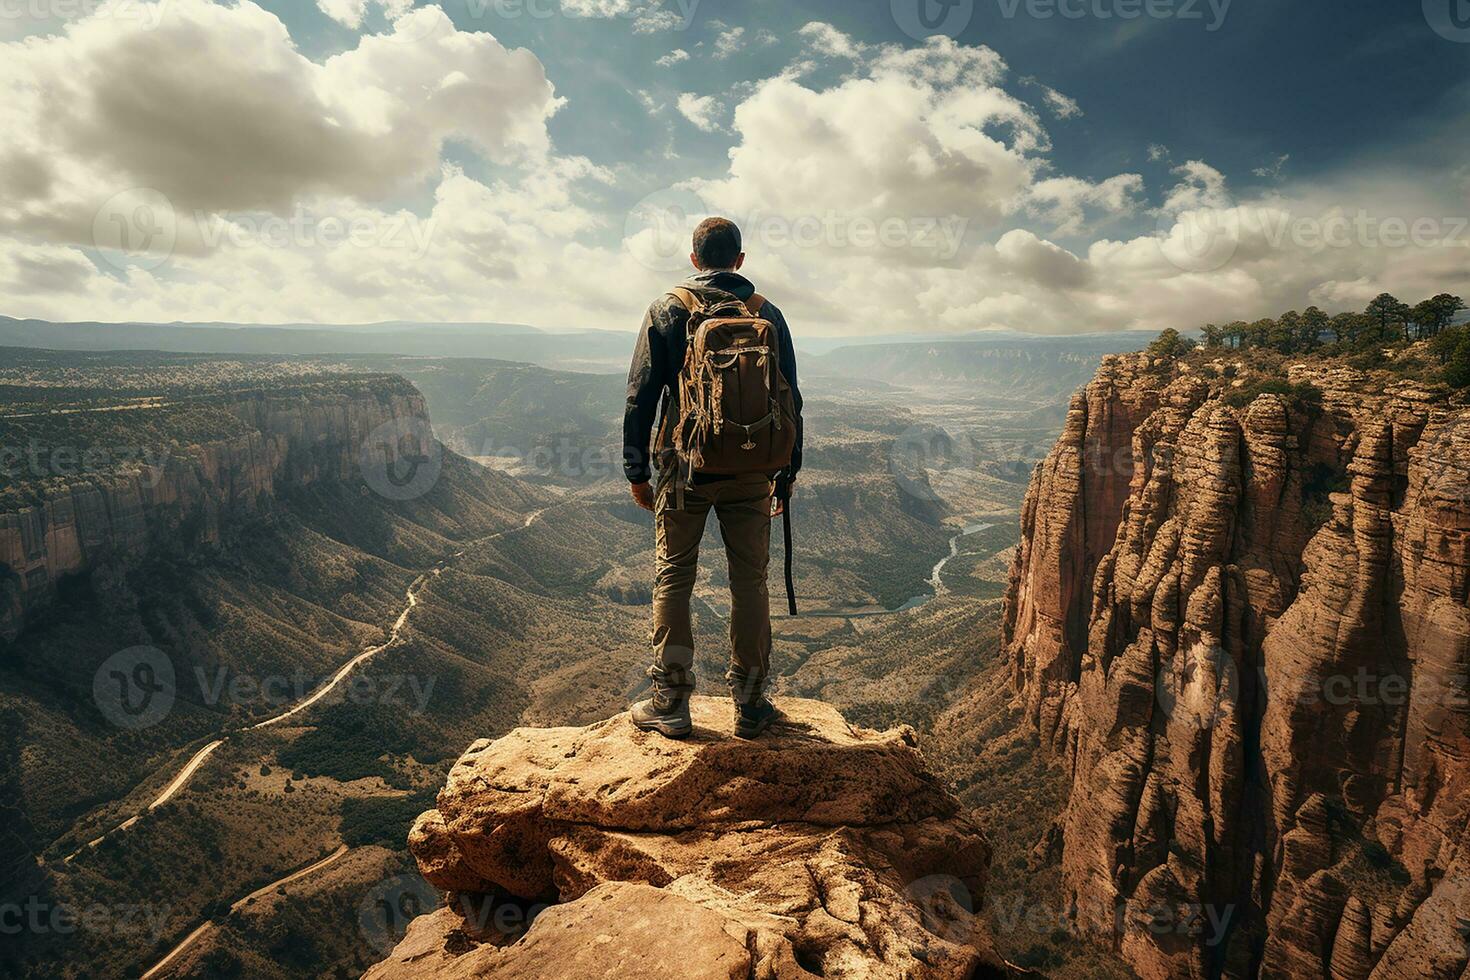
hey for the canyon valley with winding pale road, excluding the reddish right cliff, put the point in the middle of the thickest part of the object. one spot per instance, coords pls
(267, 547)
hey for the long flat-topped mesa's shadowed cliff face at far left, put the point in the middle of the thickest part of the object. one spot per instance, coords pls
(182, 500)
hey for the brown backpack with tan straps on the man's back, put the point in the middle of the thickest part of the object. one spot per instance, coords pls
(736, 414)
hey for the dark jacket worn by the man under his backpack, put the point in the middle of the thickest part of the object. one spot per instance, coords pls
(659, 358)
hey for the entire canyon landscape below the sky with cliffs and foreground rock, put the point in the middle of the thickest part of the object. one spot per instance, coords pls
(1218, 719)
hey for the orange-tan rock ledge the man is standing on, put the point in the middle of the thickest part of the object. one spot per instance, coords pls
(818, 851)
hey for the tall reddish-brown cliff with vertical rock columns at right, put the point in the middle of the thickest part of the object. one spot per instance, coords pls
(1244, 628)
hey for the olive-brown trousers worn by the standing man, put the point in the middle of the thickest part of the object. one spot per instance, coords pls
(743, 508)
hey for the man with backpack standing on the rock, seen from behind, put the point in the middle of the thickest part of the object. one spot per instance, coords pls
(721, 362)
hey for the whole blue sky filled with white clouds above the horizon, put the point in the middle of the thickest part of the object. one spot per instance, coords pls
(899, 167)
